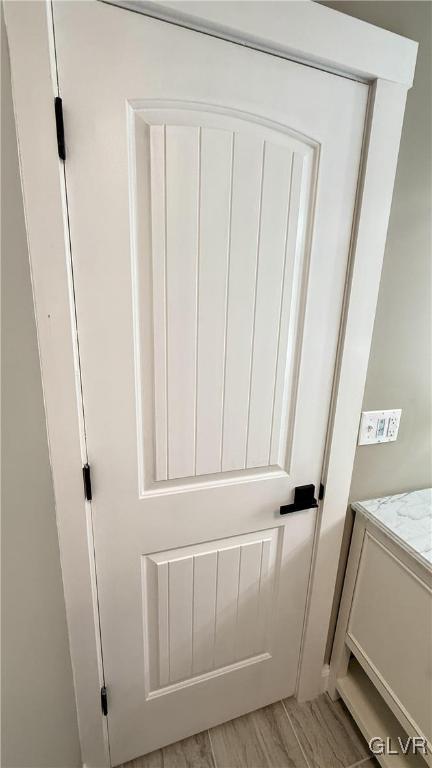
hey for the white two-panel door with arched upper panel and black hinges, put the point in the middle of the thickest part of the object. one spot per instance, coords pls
(210, 193)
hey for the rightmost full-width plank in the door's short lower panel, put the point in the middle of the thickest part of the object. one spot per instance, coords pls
(247, 612)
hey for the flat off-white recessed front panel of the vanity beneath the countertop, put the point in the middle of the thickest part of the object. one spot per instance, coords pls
(390, 623)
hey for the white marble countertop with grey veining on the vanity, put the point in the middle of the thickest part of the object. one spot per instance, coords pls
(407, 517)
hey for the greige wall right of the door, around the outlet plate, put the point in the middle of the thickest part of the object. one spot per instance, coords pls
(400, 367)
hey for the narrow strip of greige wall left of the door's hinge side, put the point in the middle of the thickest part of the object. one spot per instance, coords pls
(39, 726)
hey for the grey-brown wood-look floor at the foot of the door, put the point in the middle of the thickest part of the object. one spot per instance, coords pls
(318, 734)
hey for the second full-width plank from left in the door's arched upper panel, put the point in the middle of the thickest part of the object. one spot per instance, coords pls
(215, 194)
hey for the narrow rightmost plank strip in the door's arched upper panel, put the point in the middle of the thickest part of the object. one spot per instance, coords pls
(287, 328)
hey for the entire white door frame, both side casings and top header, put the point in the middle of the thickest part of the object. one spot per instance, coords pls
(303, 31)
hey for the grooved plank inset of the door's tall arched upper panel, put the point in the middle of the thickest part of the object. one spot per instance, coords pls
(225, 225)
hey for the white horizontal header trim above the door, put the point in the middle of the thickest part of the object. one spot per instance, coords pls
(305, 32)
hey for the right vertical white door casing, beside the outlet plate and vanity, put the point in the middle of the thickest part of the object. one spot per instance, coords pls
(374, 197)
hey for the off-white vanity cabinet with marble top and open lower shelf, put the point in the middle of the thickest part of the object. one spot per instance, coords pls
(382, 655)
